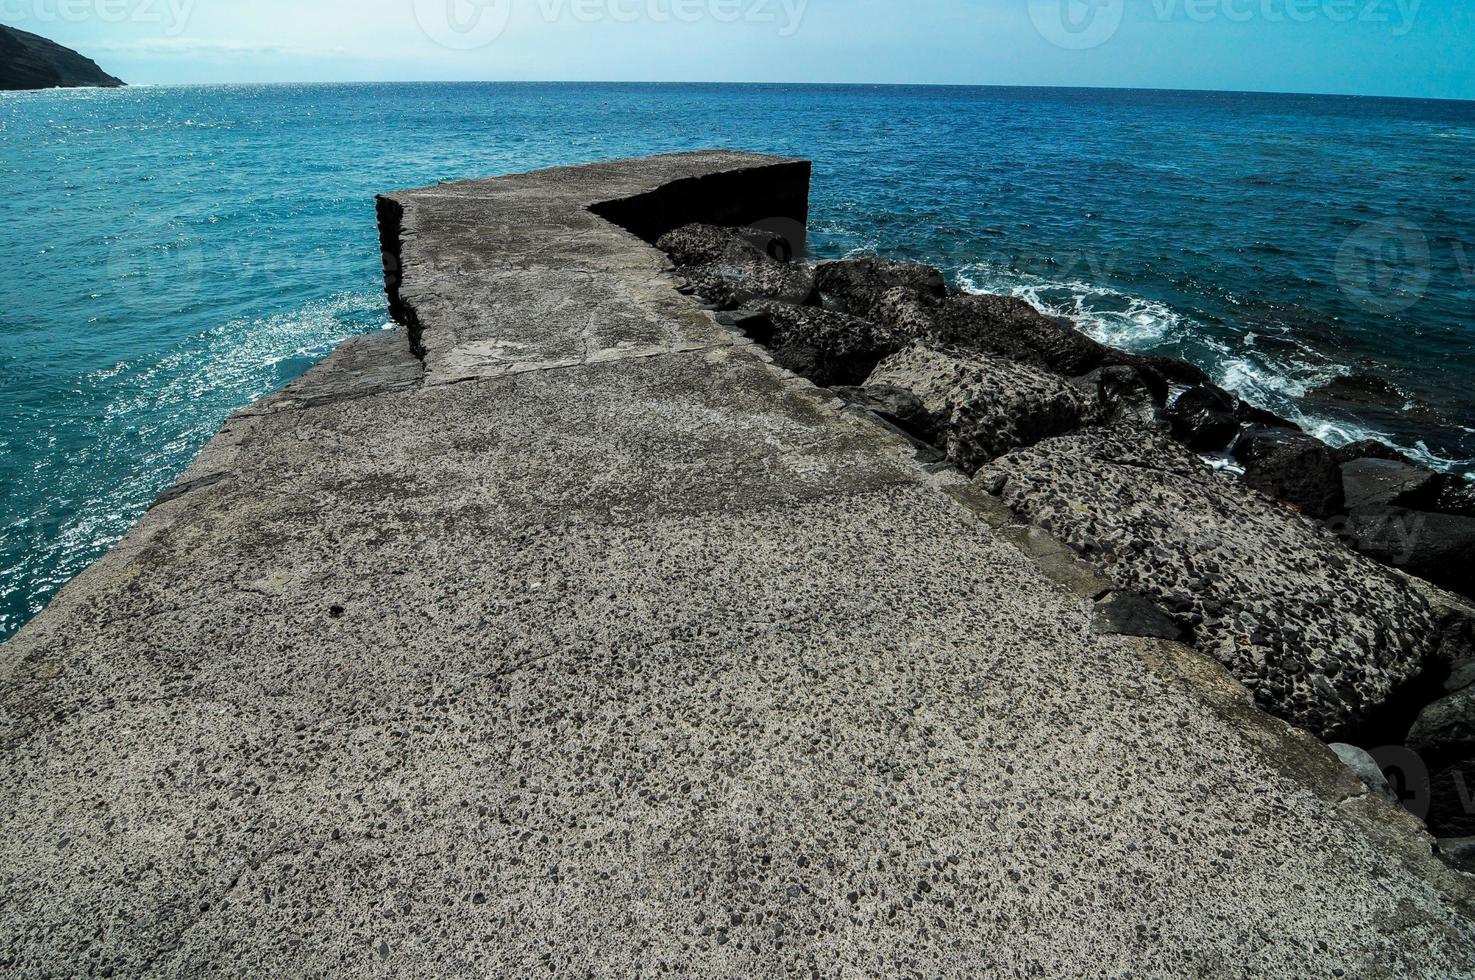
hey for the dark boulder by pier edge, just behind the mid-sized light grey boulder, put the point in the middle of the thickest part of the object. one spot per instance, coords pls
(827, 348)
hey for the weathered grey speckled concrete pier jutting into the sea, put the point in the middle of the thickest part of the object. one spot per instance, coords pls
(598, 647)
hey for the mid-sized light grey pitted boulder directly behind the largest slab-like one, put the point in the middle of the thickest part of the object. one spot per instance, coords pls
(985, 407)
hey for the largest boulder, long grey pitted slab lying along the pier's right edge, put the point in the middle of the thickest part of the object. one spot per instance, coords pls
(1322, 637)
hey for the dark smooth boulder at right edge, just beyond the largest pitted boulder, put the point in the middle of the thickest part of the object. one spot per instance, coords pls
(1434, 547)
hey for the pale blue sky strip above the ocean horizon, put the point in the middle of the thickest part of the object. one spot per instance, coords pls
(1381, 48)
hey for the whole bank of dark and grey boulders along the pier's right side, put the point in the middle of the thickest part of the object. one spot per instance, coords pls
(1334, 584)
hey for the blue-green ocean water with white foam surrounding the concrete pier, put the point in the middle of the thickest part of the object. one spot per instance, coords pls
(172, 255)
